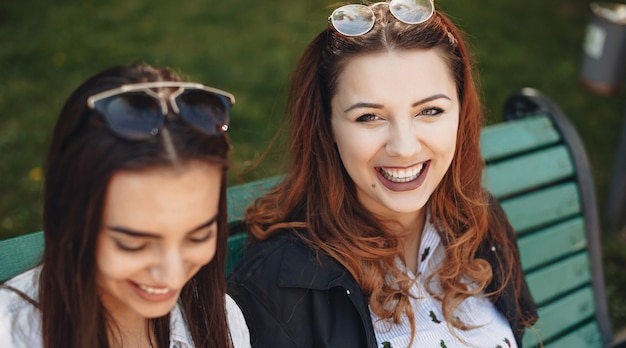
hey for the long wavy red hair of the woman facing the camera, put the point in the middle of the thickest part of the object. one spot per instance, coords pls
(318, 195)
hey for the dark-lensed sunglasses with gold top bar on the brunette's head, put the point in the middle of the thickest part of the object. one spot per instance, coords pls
(137, 111)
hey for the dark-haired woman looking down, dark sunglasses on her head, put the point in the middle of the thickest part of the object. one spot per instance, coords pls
(134, 221)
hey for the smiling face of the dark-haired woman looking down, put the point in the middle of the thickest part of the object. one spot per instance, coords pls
(159, 228)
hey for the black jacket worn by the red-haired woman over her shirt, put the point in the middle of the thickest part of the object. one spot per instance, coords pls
(290, 297)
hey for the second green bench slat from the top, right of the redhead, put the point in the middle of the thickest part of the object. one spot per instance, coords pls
(528, 171)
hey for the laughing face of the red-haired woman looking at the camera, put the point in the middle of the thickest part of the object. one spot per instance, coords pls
(395, 118)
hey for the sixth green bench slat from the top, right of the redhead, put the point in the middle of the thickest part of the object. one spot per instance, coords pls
(562, 315)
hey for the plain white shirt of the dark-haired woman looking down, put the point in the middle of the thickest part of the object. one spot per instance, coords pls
(20, 321)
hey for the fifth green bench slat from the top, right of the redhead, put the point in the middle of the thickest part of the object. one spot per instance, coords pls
(559, 278)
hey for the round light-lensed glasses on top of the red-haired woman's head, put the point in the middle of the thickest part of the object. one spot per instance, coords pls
(357, 19)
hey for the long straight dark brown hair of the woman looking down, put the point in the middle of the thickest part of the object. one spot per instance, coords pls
(82, 158)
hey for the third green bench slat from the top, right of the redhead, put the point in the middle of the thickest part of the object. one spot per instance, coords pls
(543, 207)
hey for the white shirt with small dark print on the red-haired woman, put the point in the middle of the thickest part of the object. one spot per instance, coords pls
(431, 329)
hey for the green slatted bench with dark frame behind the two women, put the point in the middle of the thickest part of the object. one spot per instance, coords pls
(537, 168)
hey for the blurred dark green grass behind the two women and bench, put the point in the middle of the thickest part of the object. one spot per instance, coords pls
(249, 48)
